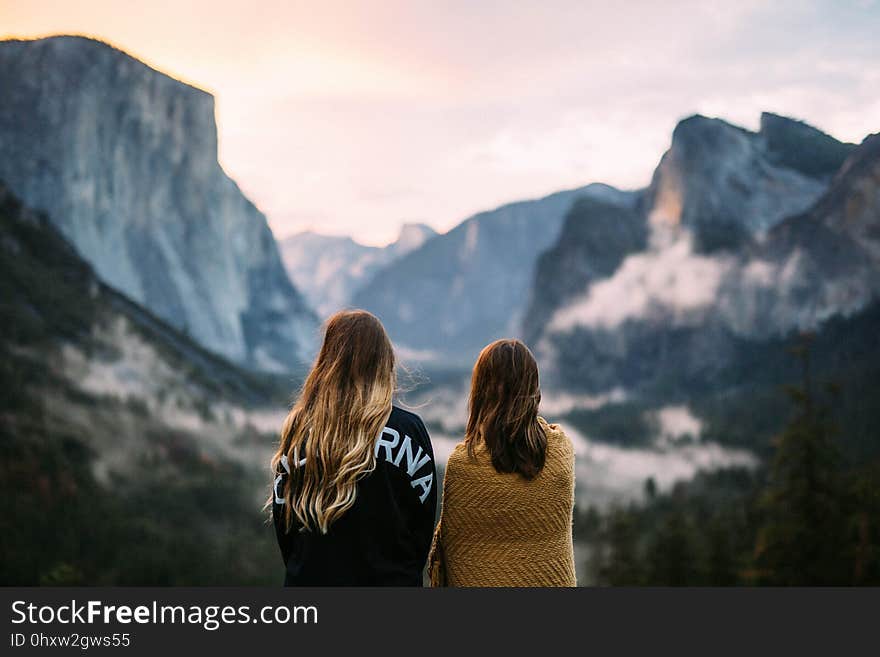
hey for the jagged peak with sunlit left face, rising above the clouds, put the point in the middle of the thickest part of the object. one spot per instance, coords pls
(726, 184)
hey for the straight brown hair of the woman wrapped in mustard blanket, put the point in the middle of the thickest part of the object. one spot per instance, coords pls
(503, 409)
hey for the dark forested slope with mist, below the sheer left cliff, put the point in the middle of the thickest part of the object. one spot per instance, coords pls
(114, 420)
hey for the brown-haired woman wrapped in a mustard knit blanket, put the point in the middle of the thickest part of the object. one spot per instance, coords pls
(508, 493)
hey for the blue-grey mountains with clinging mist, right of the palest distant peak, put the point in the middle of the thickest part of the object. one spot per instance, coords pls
(608, 285)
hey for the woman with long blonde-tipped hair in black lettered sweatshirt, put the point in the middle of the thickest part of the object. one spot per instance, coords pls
(353, 498)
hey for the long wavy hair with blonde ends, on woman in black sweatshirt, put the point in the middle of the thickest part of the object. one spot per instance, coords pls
(328, 438)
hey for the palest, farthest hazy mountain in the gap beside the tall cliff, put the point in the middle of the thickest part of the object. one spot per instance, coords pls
(328, 268)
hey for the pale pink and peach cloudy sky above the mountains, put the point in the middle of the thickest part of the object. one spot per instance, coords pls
(355, 117)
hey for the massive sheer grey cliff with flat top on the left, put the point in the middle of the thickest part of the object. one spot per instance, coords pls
(124, 160)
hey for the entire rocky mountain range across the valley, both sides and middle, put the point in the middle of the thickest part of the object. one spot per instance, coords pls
(740, 235)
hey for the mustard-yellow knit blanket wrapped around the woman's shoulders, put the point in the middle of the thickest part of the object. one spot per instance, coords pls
(502, 530)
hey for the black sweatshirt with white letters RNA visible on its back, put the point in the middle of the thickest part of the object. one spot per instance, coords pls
(383, 540)
